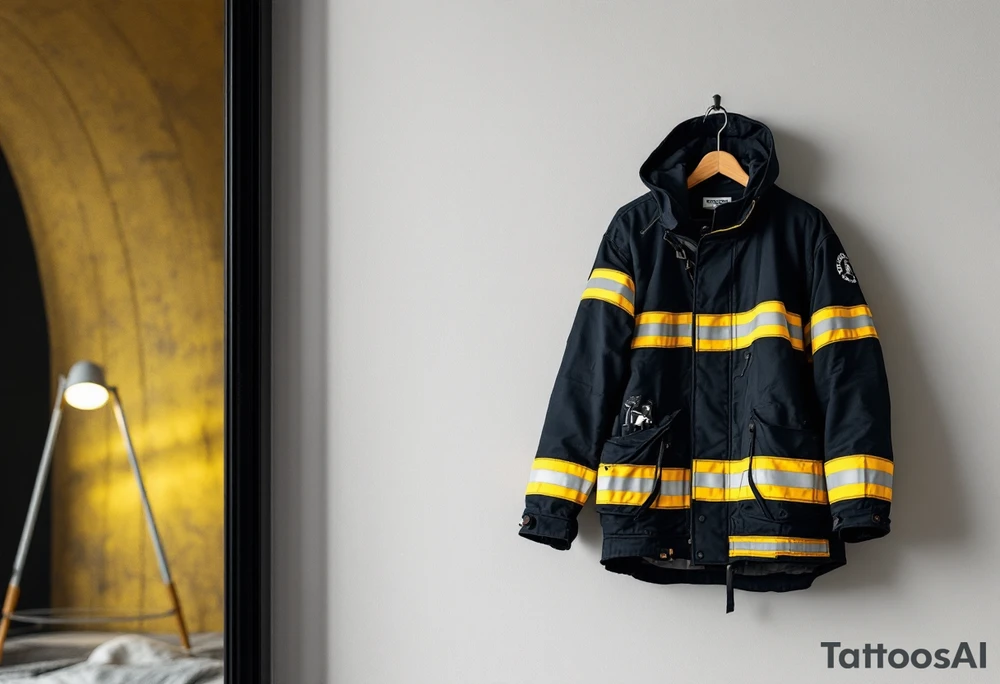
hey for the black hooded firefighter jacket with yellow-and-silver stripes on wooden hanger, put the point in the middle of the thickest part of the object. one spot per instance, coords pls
(722, 388)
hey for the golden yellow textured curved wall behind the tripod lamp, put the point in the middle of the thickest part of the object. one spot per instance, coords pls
(111, 116)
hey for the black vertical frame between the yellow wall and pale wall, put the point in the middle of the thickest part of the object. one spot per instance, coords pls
(248, 342)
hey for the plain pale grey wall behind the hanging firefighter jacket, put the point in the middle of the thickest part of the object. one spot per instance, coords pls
(443, 173)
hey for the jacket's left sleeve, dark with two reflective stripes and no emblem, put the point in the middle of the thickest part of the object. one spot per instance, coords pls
(584, 402)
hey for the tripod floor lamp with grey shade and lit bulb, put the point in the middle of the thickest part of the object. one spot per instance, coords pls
(84, 388)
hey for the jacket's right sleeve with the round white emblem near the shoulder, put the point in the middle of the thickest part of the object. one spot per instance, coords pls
(850, 380)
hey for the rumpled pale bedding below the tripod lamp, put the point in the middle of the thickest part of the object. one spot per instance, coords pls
(125, 659)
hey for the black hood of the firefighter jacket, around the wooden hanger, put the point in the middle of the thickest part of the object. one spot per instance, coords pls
(666, 170)
